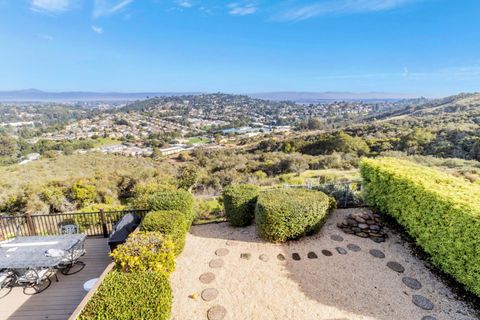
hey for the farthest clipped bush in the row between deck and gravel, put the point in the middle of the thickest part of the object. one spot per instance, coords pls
(168, 200)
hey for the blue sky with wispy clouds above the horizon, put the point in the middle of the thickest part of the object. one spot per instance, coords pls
(428, 47)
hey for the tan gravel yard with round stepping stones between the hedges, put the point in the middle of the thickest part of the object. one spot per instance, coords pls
(251, 280)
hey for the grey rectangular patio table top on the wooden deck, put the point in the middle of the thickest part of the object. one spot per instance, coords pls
(29, 252)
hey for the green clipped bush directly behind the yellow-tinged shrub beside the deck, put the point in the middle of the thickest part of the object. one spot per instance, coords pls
(172, 223)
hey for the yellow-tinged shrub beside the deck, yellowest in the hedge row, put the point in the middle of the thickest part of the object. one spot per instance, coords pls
(146, 251)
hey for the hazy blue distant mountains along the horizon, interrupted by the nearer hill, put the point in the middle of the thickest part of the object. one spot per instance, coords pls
(300, 97)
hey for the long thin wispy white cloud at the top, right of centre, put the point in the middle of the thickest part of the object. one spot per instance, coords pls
(319, 8)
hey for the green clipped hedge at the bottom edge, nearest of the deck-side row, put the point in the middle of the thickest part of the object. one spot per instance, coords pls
(126, 296)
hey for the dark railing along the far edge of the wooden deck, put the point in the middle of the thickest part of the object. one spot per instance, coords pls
(91, 223)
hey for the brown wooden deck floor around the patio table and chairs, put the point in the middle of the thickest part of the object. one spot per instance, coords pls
(60, 300)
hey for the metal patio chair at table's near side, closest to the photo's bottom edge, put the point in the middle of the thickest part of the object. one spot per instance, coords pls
(35, 281)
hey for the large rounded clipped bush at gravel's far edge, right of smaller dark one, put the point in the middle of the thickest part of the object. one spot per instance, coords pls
(286, 214)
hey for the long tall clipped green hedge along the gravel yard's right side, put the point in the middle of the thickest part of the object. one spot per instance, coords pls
(440, 211)
